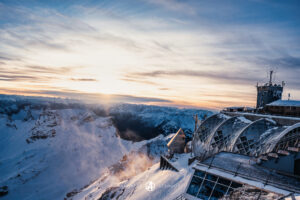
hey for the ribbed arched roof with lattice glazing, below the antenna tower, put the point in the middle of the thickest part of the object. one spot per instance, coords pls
(236, 134)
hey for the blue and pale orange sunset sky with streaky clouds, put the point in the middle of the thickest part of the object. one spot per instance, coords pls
(185, 53)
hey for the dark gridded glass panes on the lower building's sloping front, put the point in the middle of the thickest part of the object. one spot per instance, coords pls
(210, 187)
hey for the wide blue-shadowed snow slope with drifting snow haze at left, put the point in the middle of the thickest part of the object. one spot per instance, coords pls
(47, 168)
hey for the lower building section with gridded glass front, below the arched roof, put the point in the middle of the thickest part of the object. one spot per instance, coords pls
(234, 176)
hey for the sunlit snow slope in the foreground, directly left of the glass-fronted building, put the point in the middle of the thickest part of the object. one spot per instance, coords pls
(168, 184)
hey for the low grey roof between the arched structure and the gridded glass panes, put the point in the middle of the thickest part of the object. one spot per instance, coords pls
(244, 169)
